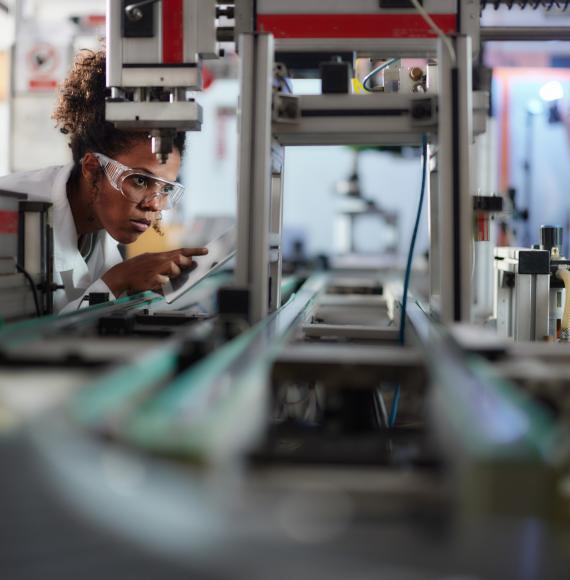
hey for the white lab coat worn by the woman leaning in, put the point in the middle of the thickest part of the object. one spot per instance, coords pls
(70, 269)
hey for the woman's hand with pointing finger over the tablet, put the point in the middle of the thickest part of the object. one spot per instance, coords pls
(149, 271)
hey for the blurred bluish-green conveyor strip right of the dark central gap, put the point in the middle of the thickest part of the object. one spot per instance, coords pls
(486, 417)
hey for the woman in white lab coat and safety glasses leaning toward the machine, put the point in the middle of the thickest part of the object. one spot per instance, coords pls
(114, 190)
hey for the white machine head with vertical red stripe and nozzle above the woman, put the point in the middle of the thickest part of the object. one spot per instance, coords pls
(156, 52)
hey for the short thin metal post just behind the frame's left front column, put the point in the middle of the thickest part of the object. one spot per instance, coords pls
(275, 228)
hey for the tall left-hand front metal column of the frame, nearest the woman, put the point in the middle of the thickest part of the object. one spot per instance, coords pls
(254, 170)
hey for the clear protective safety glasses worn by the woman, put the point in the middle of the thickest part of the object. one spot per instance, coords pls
(138, 186)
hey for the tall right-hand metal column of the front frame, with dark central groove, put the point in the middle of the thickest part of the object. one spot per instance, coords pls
(455, 134)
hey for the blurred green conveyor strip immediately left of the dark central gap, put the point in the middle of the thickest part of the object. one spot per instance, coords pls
(206, 411)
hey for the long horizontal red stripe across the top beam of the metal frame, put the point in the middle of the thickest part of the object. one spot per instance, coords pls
(353, 25)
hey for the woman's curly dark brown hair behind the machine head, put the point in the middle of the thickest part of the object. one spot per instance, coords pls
(80, 111)
